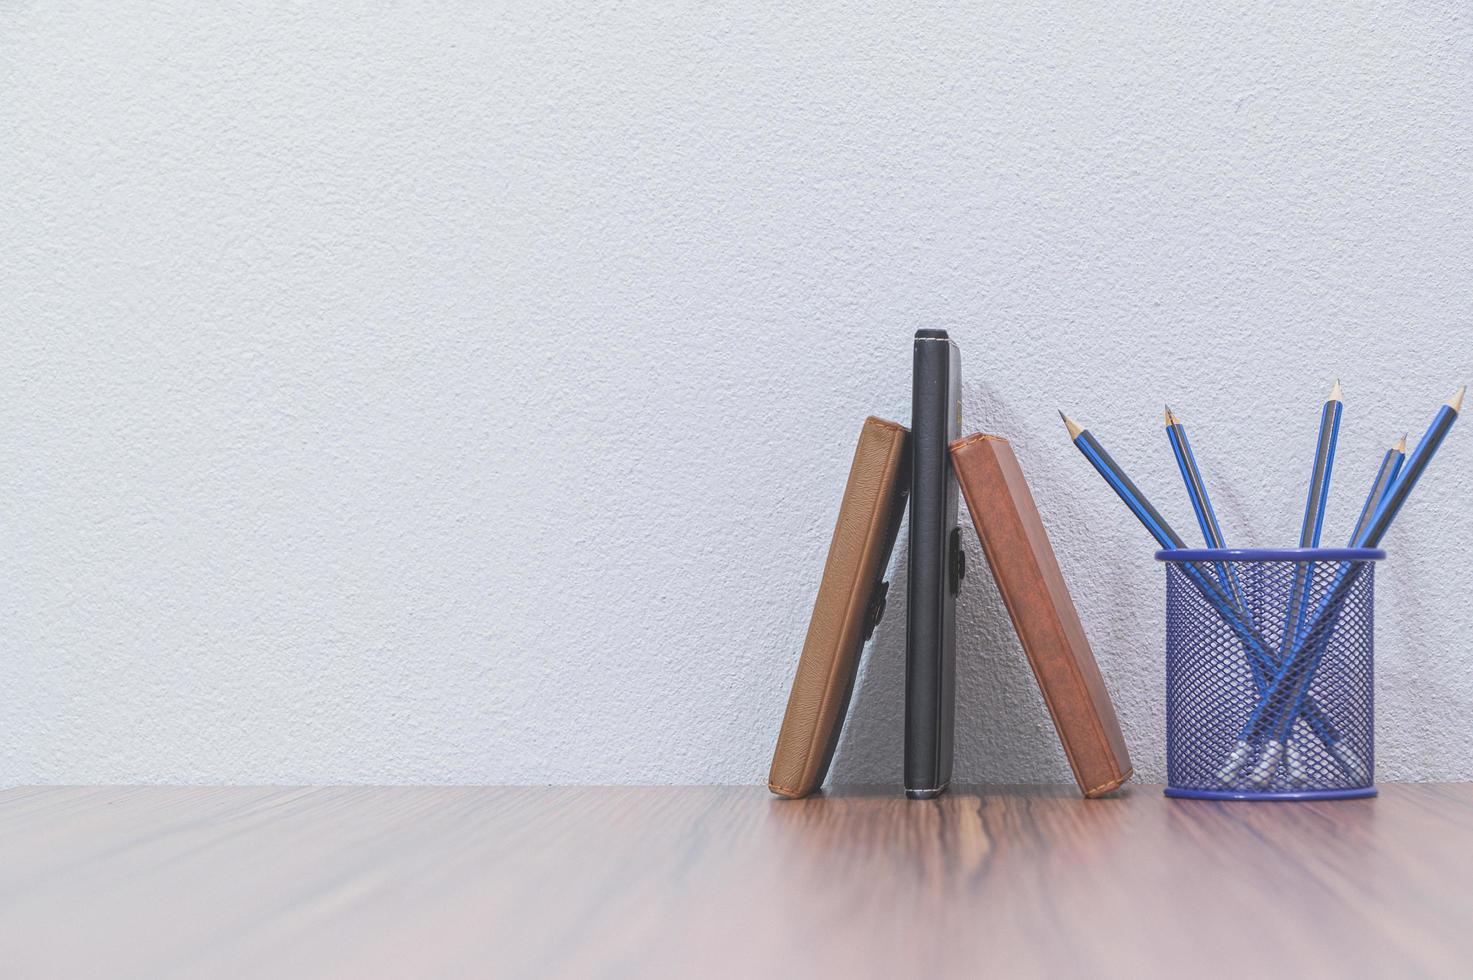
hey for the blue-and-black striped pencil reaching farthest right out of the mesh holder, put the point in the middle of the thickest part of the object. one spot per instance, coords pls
(1297, 671)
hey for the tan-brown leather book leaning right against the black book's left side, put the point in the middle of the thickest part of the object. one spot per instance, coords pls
(851, 602)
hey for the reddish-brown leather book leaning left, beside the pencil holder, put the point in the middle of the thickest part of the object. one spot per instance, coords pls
(1044, 615)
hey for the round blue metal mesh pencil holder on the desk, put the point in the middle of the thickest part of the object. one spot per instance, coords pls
(1270, 674)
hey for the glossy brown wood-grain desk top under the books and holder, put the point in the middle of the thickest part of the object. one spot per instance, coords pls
(705, 882)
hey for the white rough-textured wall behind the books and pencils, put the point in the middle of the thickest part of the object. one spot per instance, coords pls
(463, 393)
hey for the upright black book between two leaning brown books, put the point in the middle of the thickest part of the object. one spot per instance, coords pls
(936, 565)
